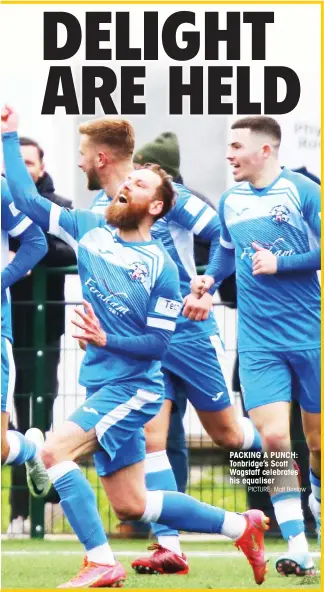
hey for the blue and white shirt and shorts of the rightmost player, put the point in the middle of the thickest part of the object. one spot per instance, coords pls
(279, 315)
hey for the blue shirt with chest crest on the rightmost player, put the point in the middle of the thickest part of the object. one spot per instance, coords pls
(279, 312)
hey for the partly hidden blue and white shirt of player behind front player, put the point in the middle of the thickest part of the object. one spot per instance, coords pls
(189, 216)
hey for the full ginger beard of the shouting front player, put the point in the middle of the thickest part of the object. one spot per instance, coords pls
(126, 216)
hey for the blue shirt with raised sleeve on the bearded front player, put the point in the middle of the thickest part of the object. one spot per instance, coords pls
(133, 287)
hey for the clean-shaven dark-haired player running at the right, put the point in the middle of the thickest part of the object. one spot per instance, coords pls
(270, 230)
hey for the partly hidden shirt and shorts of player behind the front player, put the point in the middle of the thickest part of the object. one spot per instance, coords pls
(203, 380)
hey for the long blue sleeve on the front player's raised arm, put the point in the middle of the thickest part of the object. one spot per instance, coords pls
(68, 225)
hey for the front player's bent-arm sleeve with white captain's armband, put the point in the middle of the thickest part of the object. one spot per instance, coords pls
(164, 307)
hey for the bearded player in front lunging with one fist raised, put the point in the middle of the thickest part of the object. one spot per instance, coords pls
(131, 291)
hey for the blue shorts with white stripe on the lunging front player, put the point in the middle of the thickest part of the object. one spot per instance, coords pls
(118, 414)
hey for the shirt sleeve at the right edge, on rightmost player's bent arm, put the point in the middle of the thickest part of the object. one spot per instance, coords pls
(311, 210)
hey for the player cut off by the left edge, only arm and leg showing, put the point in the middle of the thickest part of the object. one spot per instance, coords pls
(15, 448)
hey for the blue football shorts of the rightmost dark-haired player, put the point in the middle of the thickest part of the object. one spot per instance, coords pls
(268, 377)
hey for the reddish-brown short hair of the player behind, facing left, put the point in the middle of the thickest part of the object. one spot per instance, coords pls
(117, 134)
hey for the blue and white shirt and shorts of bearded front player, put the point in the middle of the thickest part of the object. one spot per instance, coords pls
(134, 291)
